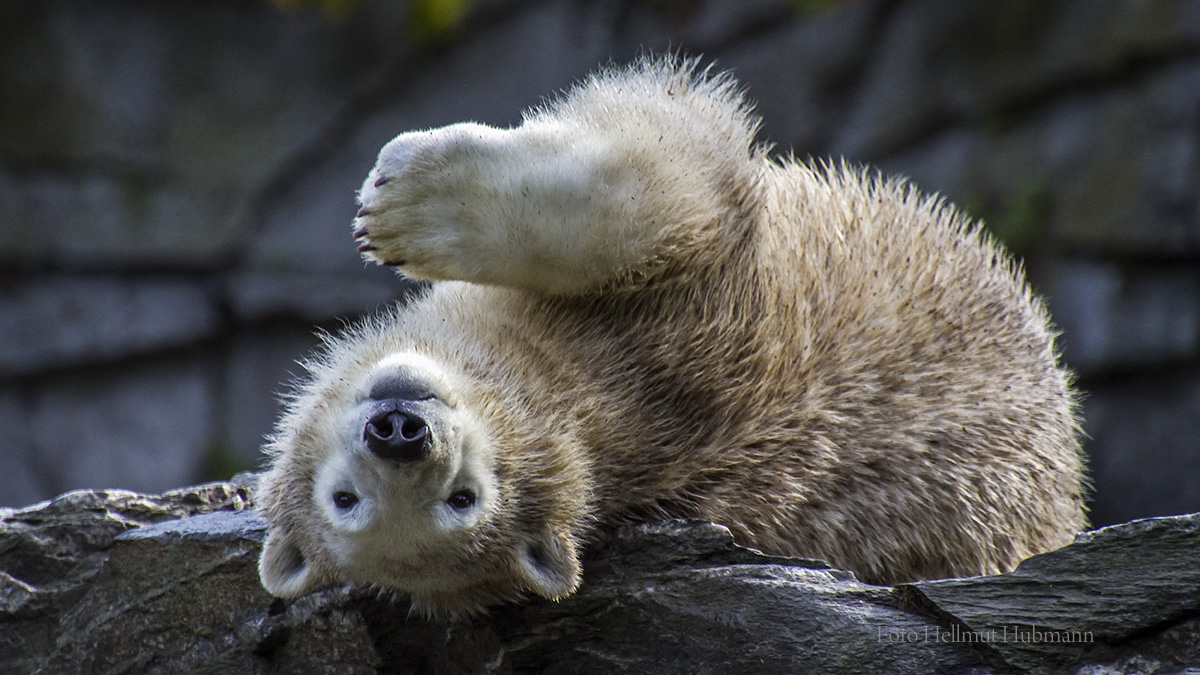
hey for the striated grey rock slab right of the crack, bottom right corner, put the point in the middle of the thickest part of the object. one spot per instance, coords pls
(1133, 582)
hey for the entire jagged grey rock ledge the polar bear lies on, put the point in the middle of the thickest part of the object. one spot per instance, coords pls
(112, 582)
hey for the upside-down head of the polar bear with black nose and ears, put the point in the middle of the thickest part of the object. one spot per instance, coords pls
(410, 481)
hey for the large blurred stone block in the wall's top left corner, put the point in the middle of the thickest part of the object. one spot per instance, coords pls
(146, 134)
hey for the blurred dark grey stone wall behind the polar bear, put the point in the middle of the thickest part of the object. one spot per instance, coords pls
(177, 184)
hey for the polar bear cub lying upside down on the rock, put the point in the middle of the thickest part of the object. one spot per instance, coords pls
(638, 314)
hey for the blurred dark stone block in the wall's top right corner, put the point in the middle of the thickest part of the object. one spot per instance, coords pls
(941, 63)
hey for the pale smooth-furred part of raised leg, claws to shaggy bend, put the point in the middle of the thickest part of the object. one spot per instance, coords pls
(545, 208)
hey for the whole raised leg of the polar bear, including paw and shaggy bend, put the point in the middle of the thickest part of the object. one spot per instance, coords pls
(599, 189)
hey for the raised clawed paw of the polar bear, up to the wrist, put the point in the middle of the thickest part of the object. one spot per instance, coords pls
(424, 206)
